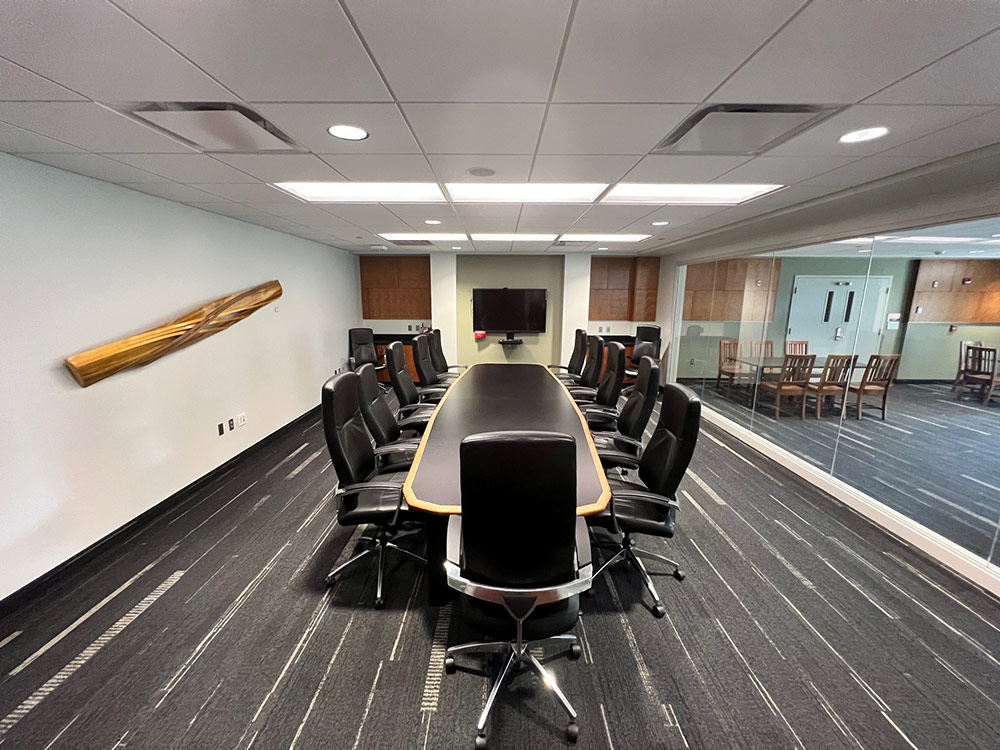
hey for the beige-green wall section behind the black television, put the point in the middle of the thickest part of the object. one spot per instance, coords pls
(515, 271)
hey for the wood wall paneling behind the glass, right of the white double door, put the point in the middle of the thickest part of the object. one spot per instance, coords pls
(943, 297)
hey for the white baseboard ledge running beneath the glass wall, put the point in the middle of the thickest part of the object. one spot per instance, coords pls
(945, 552)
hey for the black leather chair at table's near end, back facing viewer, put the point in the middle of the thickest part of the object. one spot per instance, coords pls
(518, 554)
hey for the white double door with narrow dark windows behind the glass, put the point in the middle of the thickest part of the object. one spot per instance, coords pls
(834, 312)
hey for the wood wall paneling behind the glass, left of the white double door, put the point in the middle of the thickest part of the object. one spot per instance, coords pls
(741, 289)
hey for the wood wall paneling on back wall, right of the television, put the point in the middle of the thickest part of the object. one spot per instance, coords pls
(624, 288)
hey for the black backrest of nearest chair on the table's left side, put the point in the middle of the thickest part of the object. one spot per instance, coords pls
(347, 437)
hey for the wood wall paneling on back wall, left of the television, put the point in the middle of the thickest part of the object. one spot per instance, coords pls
(395, 287)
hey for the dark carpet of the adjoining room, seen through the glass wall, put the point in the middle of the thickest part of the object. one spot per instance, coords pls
(934, 459)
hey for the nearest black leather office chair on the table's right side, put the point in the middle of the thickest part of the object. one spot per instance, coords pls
(651, 507)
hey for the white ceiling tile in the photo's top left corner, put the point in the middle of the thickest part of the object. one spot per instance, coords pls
(95, 49)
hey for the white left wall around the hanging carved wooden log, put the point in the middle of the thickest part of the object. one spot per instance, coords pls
(85, 263)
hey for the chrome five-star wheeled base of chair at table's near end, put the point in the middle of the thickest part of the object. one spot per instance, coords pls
(517, 654)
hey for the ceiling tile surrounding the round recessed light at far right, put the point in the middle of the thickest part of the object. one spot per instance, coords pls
(904, 122)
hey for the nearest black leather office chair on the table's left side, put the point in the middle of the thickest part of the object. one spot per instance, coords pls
(369, 493)
